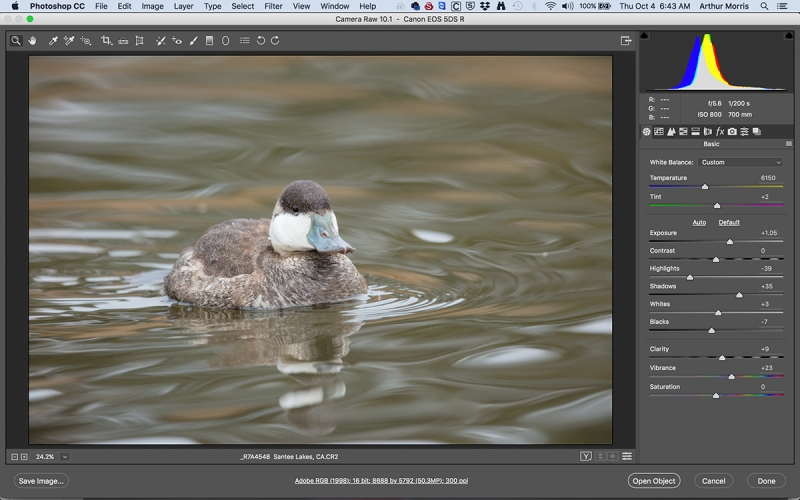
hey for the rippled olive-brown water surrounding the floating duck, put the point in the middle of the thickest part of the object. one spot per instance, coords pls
(476, 190)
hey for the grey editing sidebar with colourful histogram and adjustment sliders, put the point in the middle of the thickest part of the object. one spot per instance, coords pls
(716, 244)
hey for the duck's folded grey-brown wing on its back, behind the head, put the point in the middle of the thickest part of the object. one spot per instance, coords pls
(230, 248)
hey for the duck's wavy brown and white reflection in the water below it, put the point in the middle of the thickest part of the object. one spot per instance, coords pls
(306, 344)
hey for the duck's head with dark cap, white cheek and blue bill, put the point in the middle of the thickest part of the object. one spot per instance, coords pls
(303, 221)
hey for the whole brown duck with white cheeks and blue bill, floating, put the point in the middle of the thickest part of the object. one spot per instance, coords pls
(294, 259)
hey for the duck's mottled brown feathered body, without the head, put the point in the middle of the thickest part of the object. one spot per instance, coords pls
(234, 266)
